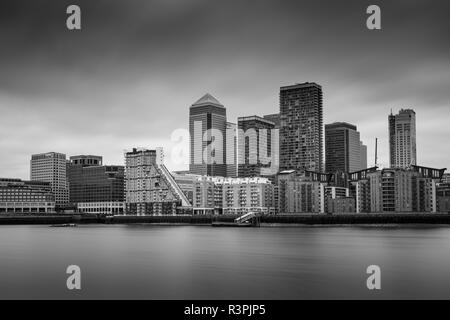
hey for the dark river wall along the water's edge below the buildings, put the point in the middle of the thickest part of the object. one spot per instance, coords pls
(341, 219)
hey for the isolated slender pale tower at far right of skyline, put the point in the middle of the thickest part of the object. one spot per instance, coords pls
(402, 139)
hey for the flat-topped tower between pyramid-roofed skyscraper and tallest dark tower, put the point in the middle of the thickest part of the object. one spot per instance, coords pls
(258, 147)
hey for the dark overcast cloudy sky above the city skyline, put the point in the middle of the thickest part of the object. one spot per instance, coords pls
(128, 77)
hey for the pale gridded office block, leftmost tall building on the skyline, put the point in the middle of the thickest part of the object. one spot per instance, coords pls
(51, 167)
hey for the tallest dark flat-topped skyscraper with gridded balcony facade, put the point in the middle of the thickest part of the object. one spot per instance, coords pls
(301, 127)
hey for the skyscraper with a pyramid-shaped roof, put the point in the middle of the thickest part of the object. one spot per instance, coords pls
(207, 128)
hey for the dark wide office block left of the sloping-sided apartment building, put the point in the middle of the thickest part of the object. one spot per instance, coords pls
(95, 187)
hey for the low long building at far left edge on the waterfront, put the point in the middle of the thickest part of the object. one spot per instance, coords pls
(25, 197)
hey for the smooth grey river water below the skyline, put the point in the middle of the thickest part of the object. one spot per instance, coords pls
(202, 262)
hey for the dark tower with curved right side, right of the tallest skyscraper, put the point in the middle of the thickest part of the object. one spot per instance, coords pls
(344, 150)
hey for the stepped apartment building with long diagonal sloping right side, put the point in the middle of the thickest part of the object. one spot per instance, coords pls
(150, 189)
